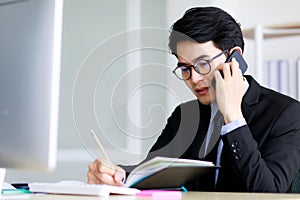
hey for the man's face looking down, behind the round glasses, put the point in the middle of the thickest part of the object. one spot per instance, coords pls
(188, 52)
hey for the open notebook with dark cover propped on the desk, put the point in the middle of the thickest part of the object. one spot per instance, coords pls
(164, 172)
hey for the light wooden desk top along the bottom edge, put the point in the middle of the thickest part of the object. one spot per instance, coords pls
(185, 196)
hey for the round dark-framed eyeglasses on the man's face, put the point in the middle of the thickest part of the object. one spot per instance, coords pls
(201, 66)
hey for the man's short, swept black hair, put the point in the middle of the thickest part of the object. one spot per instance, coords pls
(203, 24)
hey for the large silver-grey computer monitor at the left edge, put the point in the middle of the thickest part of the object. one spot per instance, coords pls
(30, 52)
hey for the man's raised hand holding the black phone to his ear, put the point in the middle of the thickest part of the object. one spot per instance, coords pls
(229, 90)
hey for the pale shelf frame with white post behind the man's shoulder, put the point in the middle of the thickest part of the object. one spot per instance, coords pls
(261, 33)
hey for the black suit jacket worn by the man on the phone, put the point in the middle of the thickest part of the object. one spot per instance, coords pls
(262, 156)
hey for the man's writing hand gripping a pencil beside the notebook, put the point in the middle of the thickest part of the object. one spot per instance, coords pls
(104, 172)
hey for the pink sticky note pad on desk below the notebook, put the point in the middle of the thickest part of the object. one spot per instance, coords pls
(161, 194)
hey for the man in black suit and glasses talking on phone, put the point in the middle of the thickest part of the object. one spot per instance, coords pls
(258, 143)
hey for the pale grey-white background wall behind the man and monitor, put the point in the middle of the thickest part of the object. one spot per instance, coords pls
(93, 32)
